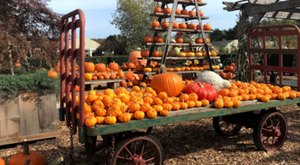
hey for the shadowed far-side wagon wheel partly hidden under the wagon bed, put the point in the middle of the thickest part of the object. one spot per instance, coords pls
(225, 128)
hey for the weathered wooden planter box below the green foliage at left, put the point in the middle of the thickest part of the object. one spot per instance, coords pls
(28, 116)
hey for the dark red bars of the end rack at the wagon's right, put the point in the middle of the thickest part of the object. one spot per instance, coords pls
(278, 32)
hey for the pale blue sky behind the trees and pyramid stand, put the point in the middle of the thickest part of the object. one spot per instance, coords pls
(98, 14)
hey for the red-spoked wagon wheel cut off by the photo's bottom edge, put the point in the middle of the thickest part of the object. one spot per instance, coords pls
(140, 150)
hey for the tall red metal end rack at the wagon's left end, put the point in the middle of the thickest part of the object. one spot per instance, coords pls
(70, 54)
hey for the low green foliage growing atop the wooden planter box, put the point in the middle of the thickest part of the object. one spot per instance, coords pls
(33, 81)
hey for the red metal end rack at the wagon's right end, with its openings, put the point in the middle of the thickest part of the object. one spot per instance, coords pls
(272, 45)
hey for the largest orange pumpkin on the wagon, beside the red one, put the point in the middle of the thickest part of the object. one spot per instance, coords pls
(170, 83)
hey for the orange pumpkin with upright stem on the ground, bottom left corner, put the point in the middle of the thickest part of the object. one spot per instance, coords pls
(36, 158)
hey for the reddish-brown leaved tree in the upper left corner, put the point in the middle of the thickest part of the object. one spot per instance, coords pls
(27, 27)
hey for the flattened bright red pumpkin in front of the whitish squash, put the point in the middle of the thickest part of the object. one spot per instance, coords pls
(202, 89)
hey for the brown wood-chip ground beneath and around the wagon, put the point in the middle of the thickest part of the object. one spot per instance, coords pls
(187, 144)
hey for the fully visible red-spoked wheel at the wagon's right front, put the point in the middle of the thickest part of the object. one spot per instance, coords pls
(271, 132)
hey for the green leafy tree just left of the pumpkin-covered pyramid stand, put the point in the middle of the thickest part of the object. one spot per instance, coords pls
(133, 20)
